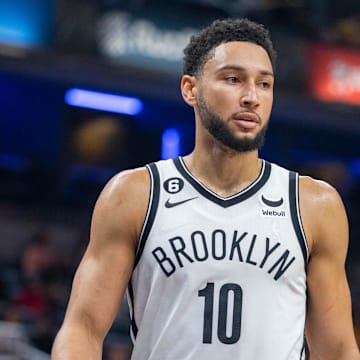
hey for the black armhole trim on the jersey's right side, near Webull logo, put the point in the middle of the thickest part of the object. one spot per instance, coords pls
(295, 213)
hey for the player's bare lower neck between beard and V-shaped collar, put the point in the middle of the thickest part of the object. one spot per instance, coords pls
(223, 171)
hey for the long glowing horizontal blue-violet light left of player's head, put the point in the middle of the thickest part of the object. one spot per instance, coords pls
(103, 101)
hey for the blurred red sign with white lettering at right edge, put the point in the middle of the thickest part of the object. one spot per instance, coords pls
(334, 74)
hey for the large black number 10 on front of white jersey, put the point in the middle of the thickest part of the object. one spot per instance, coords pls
(227, 333)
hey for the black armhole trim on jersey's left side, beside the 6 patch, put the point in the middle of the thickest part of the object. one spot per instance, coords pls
(152, 209)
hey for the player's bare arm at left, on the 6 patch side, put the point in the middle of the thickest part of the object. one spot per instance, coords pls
(103, 274)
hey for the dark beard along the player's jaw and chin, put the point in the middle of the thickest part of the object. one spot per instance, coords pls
(220, 131)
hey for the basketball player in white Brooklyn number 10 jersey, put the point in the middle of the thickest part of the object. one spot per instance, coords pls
(224, 255)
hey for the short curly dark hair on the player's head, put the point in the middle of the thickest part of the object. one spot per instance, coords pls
(199, 49)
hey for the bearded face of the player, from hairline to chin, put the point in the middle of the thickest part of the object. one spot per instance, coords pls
(235, 95)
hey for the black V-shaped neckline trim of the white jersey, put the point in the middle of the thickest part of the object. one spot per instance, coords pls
(232, 200)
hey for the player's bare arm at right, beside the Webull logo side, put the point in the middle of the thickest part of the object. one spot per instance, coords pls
(329, 326)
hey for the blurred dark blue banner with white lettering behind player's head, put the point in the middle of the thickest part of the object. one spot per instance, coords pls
(151, 36)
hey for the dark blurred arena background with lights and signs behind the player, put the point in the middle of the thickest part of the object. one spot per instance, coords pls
(91, 87)
